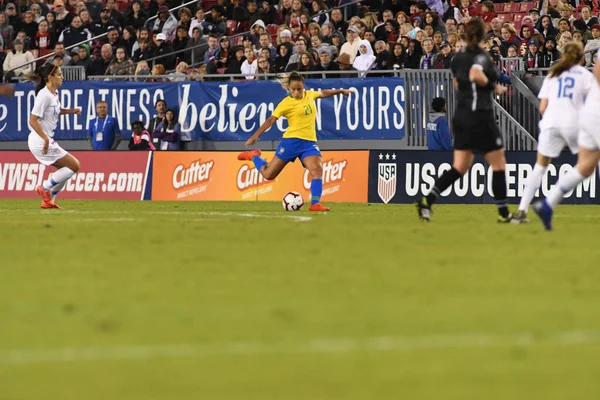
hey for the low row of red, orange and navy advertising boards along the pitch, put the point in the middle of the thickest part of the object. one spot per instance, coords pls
(379, 176)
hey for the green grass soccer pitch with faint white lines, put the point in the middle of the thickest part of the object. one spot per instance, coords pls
(151, 300)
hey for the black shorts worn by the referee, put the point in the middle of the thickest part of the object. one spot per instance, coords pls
(476, 131)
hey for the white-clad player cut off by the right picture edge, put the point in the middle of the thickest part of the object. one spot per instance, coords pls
(587, 159)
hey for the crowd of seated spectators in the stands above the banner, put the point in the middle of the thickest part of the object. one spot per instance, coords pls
(282, 35)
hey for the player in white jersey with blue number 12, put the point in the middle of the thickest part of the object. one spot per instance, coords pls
(561, 97)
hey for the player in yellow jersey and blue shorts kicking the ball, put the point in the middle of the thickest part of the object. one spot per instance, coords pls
(299, 140)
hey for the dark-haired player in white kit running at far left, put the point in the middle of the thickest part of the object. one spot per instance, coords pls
(43, 121)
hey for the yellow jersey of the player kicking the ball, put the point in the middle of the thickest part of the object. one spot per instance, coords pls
(301, 115)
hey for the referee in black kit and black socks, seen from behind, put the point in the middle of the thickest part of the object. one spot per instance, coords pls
(474, 123)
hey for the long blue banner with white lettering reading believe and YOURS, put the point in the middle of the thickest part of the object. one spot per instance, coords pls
(218, 110)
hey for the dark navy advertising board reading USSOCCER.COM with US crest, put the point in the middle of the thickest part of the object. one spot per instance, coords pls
(404, 176)
